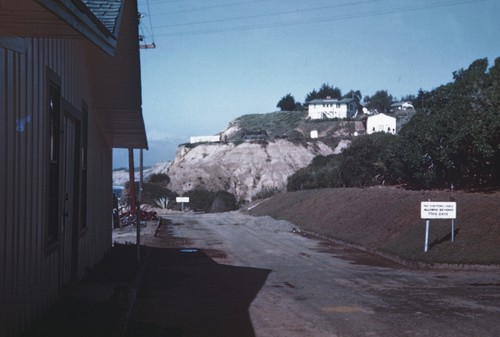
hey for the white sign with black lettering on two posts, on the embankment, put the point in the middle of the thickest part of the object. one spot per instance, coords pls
(438, 210)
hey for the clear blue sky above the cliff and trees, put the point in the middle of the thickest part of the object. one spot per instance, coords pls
(216, 60)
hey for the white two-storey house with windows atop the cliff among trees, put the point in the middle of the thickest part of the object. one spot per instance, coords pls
(332, 108)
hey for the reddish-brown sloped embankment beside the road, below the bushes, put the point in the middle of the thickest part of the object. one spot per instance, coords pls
(387, 220)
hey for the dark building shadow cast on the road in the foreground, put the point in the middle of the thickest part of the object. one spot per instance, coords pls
(185, 293)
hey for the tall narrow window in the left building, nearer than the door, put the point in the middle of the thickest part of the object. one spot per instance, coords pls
(54, 131)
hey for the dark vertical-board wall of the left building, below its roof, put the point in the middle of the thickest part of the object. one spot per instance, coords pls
(30, 271)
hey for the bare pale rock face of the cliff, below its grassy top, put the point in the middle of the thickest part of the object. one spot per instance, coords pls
(244, 169)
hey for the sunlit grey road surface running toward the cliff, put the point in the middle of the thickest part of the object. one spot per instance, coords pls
(319, 289)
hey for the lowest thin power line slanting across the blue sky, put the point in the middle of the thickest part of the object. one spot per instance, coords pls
(323, 19)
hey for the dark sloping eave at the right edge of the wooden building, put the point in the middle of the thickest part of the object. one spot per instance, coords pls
(116, 85)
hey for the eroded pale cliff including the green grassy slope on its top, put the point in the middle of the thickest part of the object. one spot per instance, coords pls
(253, 166)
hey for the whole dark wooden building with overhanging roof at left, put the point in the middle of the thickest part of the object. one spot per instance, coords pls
(70, 92)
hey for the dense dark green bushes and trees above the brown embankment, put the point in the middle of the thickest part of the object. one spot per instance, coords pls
(454, 139)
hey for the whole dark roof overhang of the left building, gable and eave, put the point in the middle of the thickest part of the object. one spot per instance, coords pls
(113, 61)
